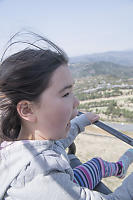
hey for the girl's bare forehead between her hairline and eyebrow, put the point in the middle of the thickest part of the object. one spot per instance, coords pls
(62, 76)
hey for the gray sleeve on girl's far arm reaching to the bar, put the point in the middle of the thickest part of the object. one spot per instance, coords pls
(78, 125)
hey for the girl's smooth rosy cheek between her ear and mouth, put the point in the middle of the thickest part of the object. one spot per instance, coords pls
(56, 115)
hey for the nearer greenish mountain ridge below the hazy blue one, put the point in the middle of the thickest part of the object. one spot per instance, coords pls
(80, 70)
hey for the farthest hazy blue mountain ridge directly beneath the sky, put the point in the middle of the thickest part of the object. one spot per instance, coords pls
(117, 57)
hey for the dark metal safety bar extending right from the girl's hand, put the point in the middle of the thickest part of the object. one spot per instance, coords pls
(113, 131)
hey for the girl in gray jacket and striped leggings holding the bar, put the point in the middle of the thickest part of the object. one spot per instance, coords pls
(38, 109)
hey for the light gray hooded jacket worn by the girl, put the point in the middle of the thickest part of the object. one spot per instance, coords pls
(40, 170)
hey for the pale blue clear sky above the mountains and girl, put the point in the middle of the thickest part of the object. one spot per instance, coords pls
(78, 26)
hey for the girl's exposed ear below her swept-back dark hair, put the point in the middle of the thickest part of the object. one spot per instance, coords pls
(26, 111)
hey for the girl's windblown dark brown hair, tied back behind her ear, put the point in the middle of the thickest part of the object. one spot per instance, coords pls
(24, 76)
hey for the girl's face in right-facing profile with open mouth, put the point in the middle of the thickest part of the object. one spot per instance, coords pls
(57, 106)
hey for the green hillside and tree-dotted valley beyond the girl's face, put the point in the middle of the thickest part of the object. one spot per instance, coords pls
(105, 88)
